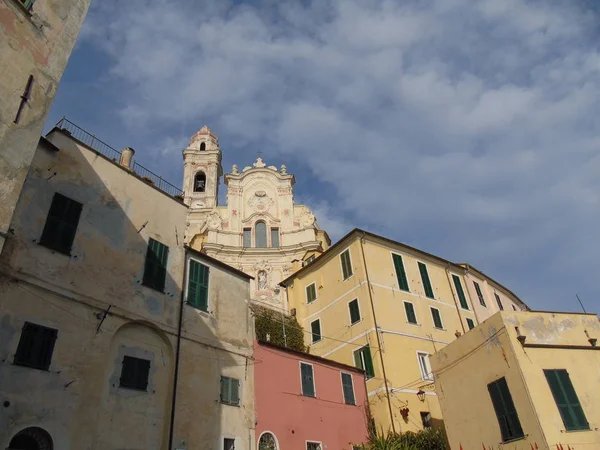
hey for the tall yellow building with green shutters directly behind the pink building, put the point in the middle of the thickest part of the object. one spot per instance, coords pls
(385, 307)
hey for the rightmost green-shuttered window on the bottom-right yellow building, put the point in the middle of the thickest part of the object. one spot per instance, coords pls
(566, 400)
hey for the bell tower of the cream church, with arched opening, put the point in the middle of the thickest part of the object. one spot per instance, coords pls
(202, 170)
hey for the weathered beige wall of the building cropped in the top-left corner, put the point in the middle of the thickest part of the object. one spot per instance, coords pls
(36, 39)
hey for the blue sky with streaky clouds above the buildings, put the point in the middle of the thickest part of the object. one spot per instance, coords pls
(467, 128)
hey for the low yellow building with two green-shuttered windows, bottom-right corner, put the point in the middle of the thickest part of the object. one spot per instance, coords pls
(522, 380)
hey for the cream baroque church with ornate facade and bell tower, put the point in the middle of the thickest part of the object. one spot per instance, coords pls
(261, 231)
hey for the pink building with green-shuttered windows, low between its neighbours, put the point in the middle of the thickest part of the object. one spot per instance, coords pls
(305, 402)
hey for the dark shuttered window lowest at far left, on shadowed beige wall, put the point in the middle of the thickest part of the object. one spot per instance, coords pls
(36, 346)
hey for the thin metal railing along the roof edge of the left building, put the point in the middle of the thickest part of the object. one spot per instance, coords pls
(111, 153)
